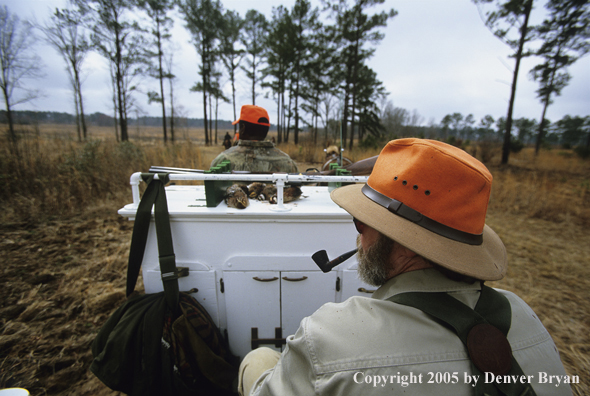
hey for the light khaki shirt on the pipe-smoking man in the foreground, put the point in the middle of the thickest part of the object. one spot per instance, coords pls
(368, 346)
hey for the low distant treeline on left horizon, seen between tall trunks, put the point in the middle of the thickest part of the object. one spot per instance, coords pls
(27, 117)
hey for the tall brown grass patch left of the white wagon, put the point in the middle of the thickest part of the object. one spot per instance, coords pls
(44, 177)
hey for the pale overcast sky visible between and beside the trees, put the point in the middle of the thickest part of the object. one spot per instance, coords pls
(437, 58)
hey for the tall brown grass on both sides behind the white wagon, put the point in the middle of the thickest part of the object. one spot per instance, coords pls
(48, 173)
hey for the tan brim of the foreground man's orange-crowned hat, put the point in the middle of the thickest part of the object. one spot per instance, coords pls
(487, 261)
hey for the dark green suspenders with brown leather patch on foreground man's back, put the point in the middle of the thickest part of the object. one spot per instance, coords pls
(482, 330)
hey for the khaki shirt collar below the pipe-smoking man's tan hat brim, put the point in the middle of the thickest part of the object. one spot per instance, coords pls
(426, 280)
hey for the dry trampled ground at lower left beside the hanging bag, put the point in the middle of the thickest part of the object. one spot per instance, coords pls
(60, 281)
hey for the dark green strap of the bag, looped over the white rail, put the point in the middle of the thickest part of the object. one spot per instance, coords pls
(154, 196)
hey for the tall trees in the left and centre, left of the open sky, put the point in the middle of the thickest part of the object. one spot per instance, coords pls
(311, 61)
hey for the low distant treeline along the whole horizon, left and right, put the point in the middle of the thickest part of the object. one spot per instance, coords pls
(396, 122)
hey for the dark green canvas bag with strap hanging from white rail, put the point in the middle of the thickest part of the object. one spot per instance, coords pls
(164, 343)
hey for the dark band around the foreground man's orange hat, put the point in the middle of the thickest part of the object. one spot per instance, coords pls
(398, 208)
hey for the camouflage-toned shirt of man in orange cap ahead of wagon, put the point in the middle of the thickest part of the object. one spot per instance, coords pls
(257, 157)
